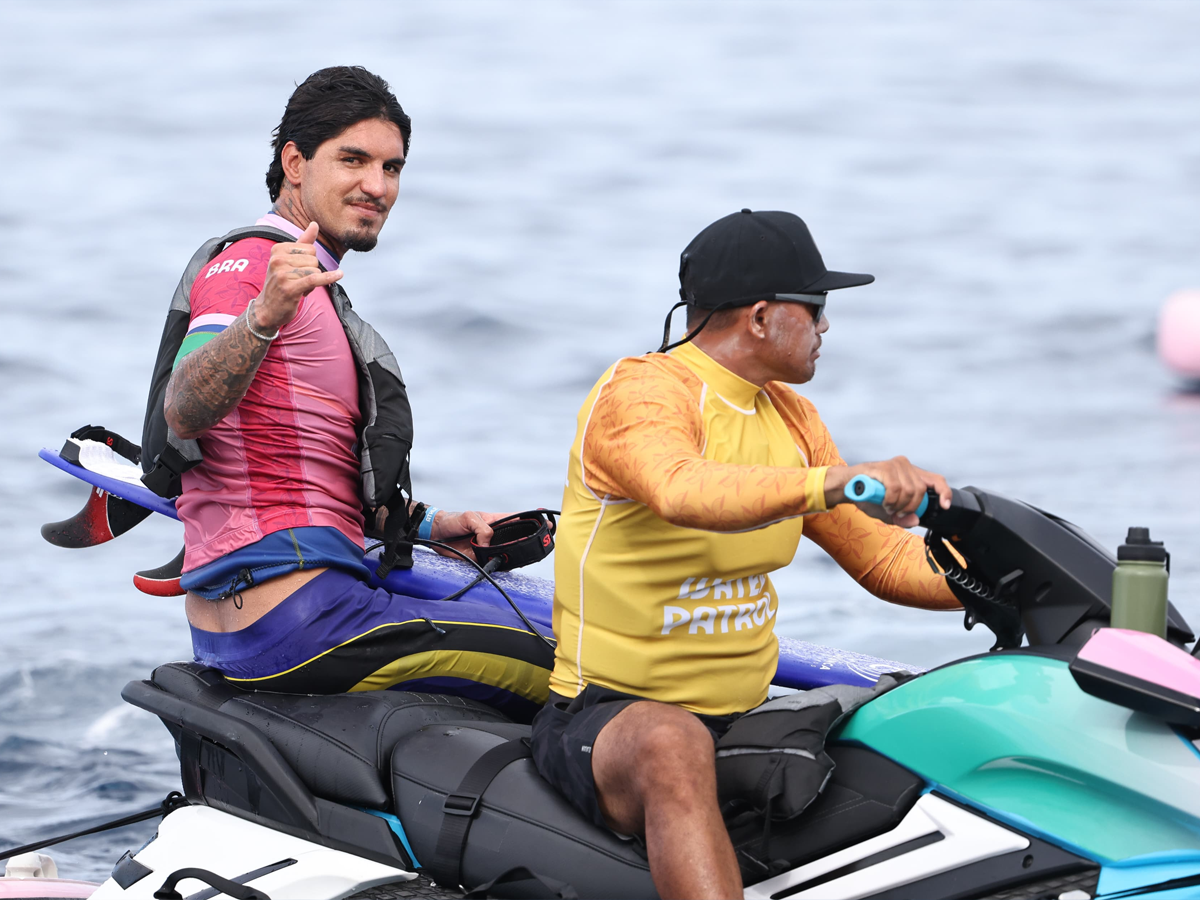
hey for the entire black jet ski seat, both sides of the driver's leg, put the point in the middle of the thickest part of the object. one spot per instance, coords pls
(335, 769)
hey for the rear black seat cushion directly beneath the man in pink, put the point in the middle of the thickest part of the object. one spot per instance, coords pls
(339, 745)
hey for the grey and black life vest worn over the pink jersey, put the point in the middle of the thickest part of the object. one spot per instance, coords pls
(386, 434)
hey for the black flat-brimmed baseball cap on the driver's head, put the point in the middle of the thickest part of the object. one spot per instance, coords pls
(753, 256)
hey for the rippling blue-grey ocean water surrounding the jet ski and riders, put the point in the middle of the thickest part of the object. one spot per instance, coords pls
(1021, 177)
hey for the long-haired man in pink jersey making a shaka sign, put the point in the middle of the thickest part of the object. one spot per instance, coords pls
(283, 418)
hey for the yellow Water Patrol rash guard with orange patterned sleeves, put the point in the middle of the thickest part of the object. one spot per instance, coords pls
(687, 487)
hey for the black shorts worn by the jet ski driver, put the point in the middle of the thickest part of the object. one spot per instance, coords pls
(566, 730)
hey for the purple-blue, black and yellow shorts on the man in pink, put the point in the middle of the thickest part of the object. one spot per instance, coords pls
(338, 635)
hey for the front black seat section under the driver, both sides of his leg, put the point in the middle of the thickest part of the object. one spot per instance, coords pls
(520, 820)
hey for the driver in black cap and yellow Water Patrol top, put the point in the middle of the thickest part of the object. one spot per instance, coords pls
(694, 473)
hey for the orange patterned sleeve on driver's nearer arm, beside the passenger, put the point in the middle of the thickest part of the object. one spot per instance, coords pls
(645, 442)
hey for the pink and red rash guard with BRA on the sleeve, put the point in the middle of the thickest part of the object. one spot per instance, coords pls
(285, 458)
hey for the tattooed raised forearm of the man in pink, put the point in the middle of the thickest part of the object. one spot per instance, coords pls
(211, 382)
